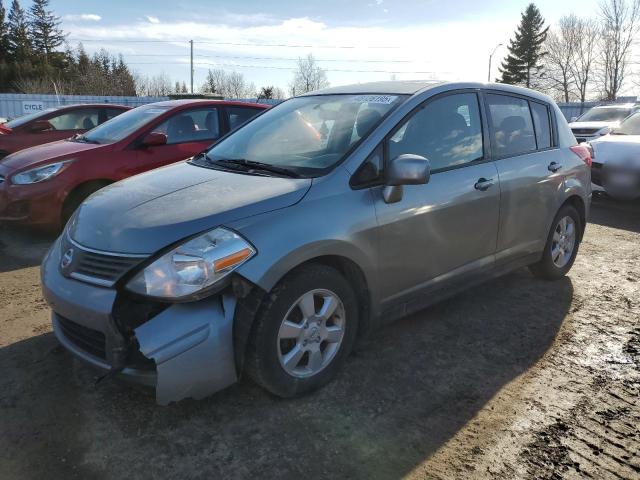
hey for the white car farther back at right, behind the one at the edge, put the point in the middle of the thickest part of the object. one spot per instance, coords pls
(600, 121)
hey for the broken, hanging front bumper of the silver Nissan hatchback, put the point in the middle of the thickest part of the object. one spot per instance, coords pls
(185, 350)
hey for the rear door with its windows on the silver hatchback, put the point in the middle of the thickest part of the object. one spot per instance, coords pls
(529, 166)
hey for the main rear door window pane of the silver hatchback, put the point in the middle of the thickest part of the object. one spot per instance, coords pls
(512, 126)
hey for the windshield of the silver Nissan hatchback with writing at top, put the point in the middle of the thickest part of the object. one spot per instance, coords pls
(306, 135)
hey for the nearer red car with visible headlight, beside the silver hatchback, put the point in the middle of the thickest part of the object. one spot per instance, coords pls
(43, 185)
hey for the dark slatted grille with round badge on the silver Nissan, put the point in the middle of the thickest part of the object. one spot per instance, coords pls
(96, 267)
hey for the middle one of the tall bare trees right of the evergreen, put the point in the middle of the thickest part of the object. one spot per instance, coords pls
(585, 52)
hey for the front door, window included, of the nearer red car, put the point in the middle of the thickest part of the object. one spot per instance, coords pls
(189, 132)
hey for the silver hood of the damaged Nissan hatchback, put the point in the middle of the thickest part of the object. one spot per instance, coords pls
(148, 212)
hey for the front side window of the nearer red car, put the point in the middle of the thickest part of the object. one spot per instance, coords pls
(196, 125)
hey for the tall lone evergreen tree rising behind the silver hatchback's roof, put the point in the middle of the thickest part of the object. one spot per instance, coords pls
(524, 61)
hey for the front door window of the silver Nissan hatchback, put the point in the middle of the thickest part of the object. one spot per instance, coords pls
(447, 131)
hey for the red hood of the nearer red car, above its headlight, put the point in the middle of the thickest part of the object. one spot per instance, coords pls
(43, 154)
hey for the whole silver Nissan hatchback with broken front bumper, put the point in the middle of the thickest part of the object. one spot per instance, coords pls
(320, 219)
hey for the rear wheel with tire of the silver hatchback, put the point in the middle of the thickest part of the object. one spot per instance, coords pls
(554, 265)
